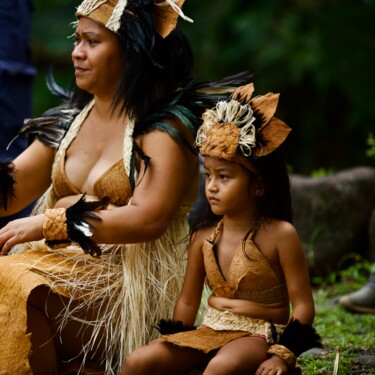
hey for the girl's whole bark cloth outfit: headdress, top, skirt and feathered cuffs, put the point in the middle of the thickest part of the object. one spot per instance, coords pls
(239, 130)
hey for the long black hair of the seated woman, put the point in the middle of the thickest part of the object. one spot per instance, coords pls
(145, 84)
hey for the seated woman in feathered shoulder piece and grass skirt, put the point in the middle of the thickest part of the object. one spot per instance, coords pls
(134, 107)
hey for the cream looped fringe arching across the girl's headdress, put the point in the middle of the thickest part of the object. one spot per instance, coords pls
(230, 112)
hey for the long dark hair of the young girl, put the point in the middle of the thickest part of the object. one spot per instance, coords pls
(275, 202)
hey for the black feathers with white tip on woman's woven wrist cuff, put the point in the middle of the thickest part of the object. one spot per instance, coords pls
(79, 229)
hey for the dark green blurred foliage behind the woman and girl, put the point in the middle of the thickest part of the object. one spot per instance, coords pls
(319, 54)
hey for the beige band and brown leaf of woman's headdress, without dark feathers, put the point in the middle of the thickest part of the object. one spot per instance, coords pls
(109, 12)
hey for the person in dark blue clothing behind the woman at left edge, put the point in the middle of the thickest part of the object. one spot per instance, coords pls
(16, 78)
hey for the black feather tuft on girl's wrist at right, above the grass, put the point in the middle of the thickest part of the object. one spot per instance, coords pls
(299, 337)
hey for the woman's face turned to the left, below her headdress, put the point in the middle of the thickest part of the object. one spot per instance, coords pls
(97, 58)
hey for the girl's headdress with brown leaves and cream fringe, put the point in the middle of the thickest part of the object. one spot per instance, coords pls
(242, 129)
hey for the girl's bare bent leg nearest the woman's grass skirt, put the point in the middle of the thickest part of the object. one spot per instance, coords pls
(161, 357)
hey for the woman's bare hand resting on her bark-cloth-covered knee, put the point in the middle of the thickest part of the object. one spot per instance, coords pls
(20, 231)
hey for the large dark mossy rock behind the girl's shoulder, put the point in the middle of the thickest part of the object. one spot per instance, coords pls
(332, 215)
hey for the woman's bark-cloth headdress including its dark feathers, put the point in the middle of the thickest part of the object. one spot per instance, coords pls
(135, 21)
